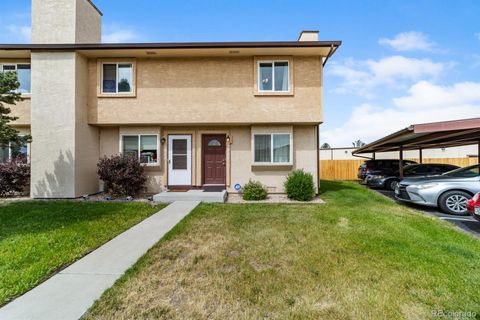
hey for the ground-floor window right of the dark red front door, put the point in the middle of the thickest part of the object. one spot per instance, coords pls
(272, 148)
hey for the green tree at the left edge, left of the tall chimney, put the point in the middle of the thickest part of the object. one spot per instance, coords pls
(8, 96)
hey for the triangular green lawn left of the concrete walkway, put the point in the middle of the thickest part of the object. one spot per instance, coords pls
(39, 238)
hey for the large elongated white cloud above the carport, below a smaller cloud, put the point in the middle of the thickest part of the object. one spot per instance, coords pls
(361, 76)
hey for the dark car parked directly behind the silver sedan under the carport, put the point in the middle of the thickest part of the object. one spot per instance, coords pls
(390, 181)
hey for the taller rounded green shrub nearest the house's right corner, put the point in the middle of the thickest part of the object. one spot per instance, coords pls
(299, 186)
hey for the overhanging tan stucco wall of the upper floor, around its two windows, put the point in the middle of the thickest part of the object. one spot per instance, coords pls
(208, 91)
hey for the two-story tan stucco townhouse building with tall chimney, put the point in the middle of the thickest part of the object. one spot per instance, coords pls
(197, 114)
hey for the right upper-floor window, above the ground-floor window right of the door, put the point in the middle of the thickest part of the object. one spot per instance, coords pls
(273, 76)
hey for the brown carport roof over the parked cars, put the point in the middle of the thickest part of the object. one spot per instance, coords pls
(428, 135)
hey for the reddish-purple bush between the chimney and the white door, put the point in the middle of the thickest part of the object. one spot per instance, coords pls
(123, 175)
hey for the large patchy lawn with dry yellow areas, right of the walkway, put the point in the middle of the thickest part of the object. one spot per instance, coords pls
(360, 256)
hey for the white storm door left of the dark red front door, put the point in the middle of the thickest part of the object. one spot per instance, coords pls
(179, 160)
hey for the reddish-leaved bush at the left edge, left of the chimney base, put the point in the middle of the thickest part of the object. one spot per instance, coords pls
(14, 177)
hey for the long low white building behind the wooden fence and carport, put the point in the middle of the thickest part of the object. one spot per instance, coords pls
(437, 153)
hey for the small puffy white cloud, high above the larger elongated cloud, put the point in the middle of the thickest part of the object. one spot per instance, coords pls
(409, 41)
